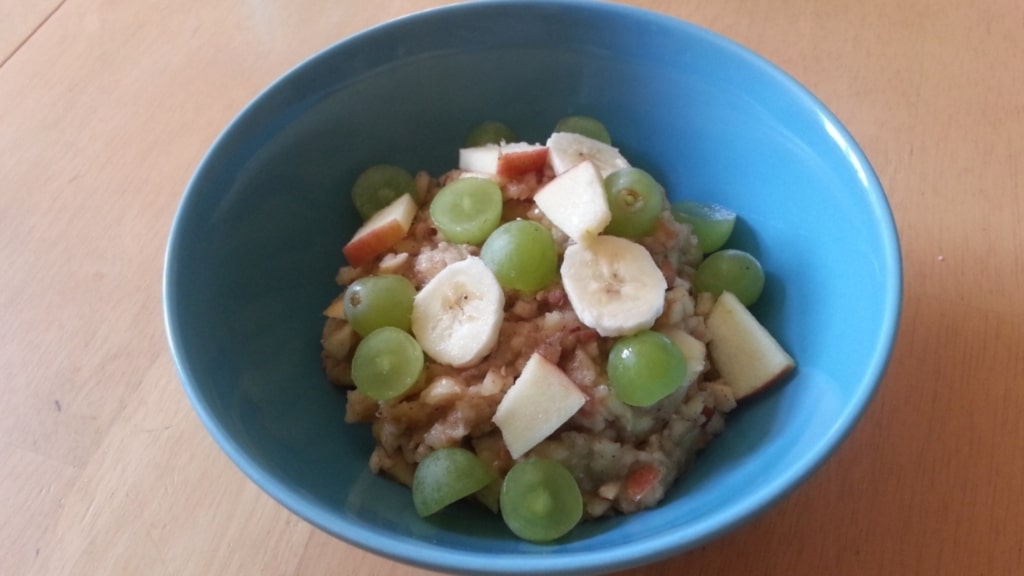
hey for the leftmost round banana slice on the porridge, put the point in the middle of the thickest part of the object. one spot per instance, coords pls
(458, 315)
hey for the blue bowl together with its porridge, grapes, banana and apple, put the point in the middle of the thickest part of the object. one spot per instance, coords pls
(532, 296)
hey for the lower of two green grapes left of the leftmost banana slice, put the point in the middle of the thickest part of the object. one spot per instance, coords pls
(388, 363)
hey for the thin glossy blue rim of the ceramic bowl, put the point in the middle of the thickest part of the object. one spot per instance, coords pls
(671, 543)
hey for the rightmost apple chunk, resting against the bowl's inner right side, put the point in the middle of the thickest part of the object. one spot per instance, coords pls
(746, 354)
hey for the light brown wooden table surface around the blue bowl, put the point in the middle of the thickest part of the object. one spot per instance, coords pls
(107, 107)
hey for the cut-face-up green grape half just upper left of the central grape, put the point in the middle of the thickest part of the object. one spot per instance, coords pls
(467, 211)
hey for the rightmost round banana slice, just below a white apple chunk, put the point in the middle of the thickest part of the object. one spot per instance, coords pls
(614, 285)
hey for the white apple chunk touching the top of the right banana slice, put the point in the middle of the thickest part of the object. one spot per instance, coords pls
(576, 202)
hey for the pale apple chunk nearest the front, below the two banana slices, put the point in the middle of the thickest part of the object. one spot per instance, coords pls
(540, 401)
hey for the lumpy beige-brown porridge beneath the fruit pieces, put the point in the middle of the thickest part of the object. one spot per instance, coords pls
(624, 458)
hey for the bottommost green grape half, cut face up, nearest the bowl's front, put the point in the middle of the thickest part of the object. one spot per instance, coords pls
(541, 501)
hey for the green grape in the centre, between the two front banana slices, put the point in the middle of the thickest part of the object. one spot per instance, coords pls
(523, 256)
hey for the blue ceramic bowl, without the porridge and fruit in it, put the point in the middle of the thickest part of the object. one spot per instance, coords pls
(257, 243)
